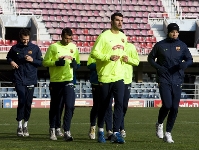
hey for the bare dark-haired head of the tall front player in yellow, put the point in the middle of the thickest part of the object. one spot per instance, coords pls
(116, 21)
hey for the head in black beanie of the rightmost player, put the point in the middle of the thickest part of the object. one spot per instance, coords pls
(173, 30)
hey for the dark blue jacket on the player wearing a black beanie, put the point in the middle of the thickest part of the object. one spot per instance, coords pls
(170, 53)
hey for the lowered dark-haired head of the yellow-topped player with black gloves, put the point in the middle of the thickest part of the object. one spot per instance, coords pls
(66, 36)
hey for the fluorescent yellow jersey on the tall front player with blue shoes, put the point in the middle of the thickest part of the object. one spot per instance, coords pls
(106, 45)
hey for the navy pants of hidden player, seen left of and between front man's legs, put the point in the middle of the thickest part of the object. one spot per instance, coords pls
(95, 107)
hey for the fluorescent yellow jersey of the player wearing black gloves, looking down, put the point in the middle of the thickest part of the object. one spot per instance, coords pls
(59, 73)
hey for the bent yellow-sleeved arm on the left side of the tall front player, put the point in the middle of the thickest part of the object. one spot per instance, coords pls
(96, 52)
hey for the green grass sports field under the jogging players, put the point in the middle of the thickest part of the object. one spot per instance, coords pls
(140, 128)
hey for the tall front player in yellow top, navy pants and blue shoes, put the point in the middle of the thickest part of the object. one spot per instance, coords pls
(109, 51)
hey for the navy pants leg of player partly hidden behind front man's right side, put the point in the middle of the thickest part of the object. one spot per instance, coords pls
(127, 88)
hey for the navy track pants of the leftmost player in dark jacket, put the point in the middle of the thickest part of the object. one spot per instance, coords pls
(25, 96)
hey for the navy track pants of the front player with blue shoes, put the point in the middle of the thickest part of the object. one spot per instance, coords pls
(106, 91)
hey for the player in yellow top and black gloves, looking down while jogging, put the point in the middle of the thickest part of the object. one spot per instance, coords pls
(60, 58)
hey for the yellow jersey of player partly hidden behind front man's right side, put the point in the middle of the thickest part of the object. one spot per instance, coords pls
(133, 60)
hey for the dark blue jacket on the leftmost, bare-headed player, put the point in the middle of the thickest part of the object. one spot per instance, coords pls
(26, 74)
